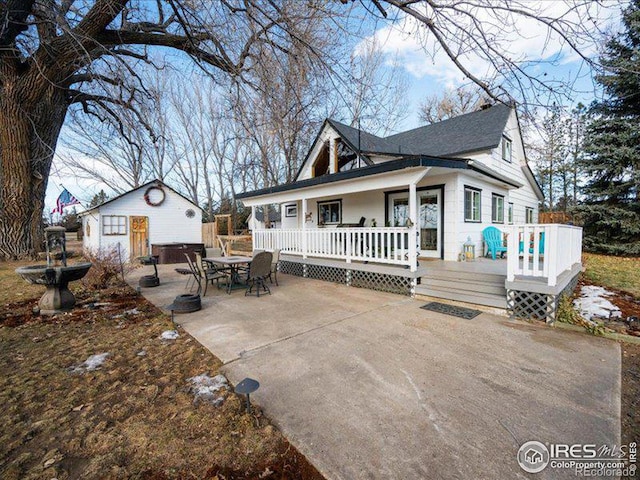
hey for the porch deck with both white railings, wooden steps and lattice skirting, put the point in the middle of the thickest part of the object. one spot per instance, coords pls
(527, 282)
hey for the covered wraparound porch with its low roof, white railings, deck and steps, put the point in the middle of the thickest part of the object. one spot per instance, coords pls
(402, 227)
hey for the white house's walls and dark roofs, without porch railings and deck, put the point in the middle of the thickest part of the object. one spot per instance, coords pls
(442, 160)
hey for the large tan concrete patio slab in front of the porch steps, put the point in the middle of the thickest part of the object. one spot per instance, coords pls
(368, 385)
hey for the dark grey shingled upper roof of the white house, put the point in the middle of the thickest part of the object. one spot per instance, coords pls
(480, 130)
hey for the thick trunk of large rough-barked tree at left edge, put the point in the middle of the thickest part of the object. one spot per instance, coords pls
(28, 137)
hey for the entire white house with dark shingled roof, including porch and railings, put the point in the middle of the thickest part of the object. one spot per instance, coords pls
(361, 206)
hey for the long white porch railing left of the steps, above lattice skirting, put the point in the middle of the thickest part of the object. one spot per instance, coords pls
(379, 244)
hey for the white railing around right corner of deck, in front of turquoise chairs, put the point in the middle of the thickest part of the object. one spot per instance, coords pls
(542, 250)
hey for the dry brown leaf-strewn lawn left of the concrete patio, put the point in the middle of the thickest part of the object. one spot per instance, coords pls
(134, 417)
